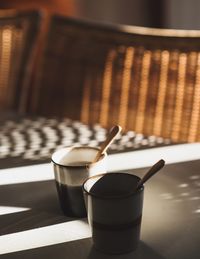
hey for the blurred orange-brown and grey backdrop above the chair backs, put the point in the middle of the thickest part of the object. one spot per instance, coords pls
(180, 14)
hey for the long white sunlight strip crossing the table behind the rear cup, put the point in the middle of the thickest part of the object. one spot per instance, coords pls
(115, 162)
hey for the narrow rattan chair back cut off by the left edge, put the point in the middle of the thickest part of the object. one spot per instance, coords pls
(18, 35)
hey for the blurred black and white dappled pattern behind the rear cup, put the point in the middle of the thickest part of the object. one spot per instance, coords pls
(36, 139)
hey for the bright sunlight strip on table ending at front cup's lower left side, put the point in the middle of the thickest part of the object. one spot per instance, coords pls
(44, 236)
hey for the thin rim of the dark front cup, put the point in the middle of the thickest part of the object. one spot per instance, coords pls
(114, 196)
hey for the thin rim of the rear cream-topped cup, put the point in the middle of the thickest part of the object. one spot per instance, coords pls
(77, 147)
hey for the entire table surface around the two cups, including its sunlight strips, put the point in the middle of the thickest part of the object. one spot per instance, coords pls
(33, 226)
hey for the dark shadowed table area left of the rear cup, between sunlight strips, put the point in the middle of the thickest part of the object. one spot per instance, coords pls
(40, 197)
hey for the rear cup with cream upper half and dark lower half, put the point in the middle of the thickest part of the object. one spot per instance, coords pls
(72, 166)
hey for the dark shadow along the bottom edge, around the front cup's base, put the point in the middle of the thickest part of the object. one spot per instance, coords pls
(81, 249)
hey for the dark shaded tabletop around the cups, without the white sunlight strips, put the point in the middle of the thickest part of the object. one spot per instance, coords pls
(170, 224)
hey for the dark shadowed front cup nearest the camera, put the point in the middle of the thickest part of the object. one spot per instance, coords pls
(114, 208)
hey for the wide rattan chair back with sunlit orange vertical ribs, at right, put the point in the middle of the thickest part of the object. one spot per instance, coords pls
(146, 80)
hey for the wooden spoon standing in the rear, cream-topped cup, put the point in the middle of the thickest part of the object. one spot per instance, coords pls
(112, 134)
